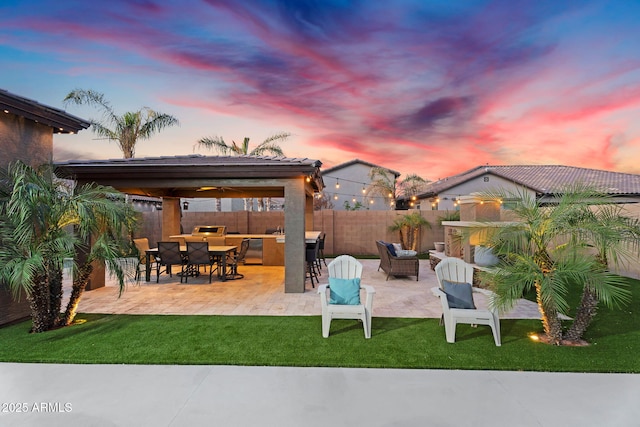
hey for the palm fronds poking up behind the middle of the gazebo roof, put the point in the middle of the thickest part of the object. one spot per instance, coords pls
(268, 146)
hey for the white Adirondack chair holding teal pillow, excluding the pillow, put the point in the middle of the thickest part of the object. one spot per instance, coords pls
(346, 267)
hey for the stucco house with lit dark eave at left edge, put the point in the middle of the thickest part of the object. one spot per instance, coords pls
(26, 133)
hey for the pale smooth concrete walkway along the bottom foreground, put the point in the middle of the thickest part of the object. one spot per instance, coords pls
(130, 395)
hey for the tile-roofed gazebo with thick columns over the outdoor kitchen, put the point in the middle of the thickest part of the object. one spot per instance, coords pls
(194, 176)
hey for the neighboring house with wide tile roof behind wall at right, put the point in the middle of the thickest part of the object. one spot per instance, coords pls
(541, 181)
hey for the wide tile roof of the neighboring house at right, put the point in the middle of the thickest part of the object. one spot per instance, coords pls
(545, 179)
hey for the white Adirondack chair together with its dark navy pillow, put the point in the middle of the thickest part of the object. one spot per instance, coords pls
(455, 278)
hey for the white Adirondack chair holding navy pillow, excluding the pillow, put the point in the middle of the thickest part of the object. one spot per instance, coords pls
(456, 270)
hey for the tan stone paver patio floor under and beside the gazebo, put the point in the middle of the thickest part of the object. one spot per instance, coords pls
(261, 292)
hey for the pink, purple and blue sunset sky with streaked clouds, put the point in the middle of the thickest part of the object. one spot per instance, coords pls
(418, 86)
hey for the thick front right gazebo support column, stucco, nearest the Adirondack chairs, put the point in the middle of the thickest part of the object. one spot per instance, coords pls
(294, 247)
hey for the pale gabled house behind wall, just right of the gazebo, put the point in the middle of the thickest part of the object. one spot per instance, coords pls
(347, 184)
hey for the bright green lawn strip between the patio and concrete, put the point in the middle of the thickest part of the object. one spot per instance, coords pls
(297, 341)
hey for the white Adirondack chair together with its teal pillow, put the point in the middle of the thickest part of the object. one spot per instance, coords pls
(343, 299)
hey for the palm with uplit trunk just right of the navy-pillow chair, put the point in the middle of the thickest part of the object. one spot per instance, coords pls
(547, 249)
